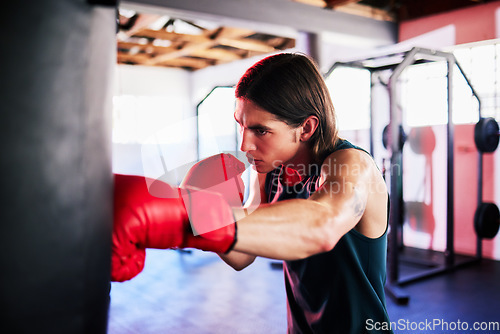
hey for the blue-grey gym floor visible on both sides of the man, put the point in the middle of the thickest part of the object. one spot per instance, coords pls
(196, 293)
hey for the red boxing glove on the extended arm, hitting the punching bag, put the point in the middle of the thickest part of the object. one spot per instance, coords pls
(166, 220)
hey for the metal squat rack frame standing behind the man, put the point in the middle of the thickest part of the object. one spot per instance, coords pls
(397, 63)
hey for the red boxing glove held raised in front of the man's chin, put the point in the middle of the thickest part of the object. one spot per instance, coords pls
(220, 173)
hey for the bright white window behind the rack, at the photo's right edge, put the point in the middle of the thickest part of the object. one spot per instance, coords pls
(424, 87)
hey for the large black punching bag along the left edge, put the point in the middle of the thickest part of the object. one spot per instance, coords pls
(56, 61)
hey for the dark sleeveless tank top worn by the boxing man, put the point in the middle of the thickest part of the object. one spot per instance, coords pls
(340, 291)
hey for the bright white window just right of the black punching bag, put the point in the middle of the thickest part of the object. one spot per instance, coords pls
(152, 137)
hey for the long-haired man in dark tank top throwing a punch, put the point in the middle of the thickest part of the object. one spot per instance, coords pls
(325, 210)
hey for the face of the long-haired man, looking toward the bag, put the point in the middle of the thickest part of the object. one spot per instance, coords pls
(267, 141)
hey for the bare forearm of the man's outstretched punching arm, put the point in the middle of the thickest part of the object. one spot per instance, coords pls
(288, 230)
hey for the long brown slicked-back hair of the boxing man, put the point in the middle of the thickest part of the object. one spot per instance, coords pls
(290, 86)
